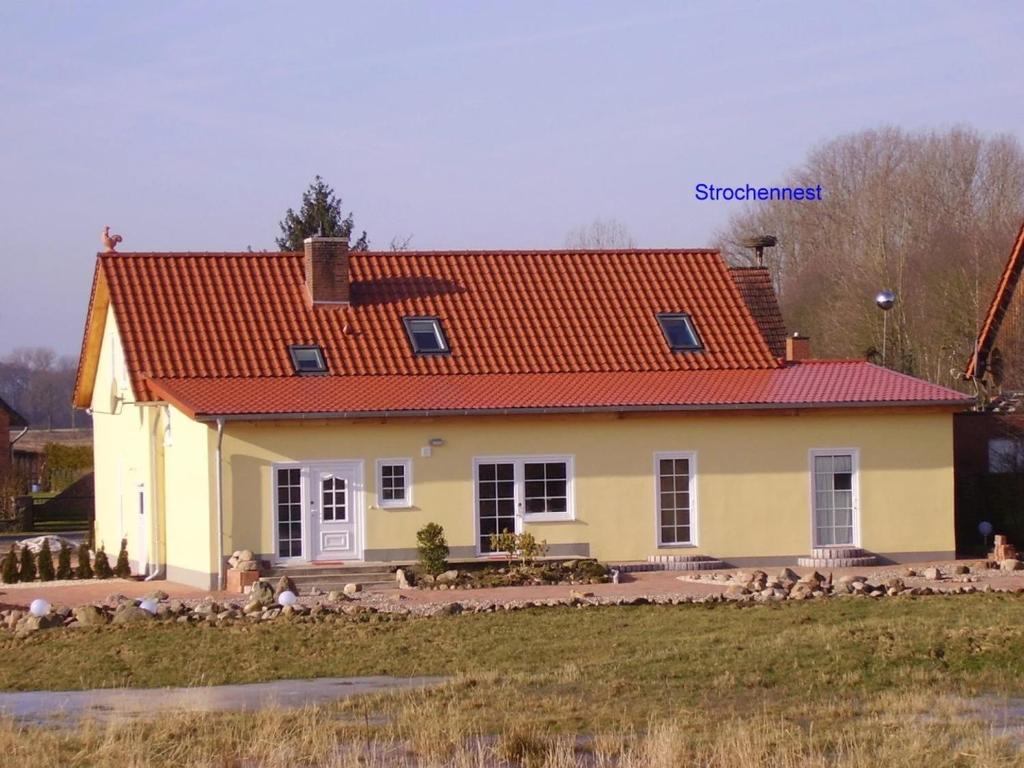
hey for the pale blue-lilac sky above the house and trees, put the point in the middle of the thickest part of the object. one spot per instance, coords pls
(193, 126)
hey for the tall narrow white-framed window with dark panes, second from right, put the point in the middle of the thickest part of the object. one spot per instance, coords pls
(675, 498)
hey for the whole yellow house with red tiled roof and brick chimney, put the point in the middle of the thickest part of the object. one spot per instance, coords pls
(322, 407)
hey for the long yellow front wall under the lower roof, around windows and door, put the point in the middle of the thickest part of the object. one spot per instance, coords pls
(754, 482)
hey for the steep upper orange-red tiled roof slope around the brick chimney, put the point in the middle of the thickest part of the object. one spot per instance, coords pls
(185, 316)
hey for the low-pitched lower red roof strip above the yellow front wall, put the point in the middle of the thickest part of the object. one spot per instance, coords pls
(817, 383)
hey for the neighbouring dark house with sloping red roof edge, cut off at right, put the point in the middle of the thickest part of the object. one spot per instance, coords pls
(990, 440)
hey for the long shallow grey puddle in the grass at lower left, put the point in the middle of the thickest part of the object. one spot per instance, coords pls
(124, 704)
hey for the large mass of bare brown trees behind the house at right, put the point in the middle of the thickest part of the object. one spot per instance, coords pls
(928, 216)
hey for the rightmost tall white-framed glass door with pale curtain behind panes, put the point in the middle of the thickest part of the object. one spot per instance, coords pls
(835, 500)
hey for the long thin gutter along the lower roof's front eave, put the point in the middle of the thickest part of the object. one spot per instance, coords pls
(429, 413)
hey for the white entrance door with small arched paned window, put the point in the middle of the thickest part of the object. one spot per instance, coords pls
(334, 513)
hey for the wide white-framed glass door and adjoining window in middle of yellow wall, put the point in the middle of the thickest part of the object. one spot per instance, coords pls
(528, 489)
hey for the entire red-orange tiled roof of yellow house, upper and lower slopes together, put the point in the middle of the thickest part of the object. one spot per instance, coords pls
(530, 331)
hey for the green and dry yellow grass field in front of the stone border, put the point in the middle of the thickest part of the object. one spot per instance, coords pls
(860, 670)
